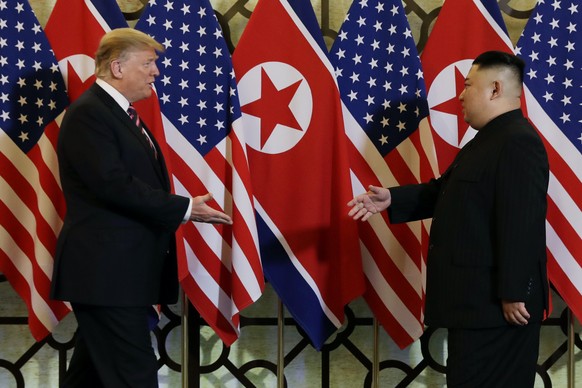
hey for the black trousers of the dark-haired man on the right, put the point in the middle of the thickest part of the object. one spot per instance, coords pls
(494, 357)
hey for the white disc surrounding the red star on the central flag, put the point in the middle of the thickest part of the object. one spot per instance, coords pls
(282, 75)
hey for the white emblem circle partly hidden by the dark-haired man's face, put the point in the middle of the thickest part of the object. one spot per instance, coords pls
(443, 89)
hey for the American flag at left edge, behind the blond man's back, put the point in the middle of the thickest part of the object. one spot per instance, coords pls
(32, 95)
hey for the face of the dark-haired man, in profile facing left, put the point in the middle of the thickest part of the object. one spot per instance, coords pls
(479, 88)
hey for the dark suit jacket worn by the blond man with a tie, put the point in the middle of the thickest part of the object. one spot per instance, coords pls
(117, 244)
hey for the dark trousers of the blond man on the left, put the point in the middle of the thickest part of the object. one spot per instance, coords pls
(113, 349)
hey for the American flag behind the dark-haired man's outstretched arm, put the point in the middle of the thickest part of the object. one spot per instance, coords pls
(382, 87)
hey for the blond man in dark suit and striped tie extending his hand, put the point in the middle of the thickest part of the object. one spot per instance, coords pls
(116, 252)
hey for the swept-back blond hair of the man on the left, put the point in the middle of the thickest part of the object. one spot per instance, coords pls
(117, 44)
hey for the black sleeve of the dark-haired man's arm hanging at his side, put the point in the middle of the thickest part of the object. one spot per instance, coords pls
(520, 212)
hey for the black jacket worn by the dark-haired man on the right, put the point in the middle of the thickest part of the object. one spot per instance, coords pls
(487, 238)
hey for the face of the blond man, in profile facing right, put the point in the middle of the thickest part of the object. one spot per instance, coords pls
(138, 71)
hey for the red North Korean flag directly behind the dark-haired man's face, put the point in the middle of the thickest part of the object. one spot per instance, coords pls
(463, 30)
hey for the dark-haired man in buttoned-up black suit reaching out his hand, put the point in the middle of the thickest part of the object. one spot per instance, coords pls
(486, 264)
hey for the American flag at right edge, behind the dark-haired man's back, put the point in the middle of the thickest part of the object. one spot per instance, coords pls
(550, 46)
